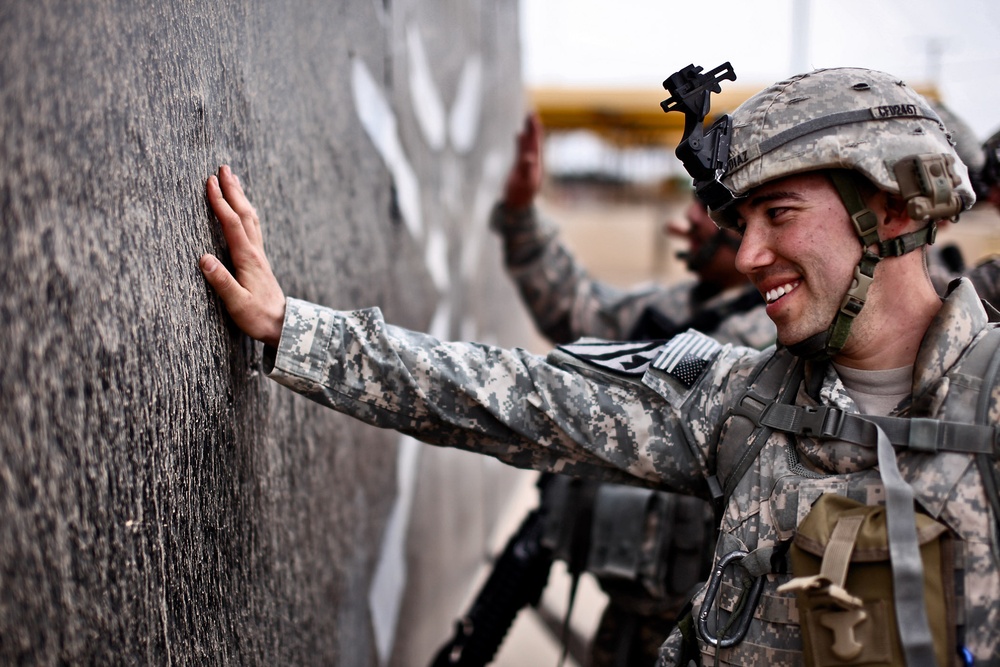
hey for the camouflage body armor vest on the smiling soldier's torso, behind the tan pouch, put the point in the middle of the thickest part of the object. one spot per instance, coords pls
(780, 450)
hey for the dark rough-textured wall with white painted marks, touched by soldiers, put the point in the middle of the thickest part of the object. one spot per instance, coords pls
(161, 501)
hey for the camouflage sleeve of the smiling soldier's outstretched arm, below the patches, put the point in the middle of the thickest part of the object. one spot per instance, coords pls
(520, 408)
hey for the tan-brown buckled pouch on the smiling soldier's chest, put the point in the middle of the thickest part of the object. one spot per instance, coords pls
(843, 585)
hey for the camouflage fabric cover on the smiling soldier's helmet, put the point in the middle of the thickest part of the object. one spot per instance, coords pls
(841, 118)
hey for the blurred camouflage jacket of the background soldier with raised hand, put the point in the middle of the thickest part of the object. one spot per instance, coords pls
(567, 303)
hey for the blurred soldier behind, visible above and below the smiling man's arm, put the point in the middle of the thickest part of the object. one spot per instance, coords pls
(566, 304)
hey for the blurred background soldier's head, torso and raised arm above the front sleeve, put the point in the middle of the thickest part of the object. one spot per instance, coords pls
(567, 303)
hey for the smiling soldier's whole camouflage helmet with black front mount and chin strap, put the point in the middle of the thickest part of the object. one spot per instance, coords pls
(843, 120)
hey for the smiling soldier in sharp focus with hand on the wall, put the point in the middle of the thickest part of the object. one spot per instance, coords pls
(863, 445)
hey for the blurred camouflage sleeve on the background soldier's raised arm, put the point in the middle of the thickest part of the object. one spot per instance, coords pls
(565, 301)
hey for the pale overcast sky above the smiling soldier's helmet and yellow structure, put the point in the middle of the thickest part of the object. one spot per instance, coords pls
(952, 43)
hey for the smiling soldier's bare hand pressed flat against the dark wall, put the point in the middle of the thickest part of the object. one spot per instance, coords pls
(253, 297)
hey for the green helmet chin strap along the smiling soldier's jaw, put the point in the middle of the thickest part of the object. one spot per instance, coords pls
(827, 344)
